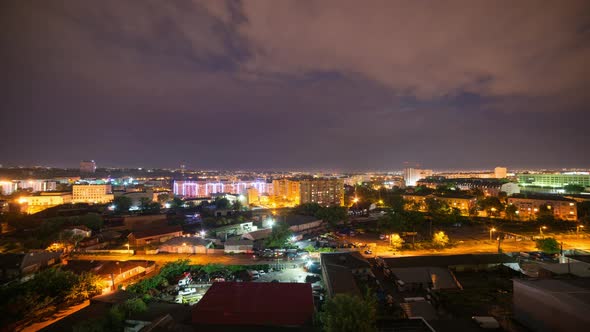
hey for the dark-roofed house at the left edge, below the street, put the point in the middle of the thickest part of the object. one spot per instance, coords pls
(23, 266)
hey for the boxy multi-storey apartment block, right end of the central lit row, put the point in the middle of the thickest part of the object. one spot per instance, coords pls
(322, 191)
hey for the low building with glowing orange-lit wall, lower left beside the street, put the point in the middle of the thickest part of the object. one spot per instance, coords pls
(112, 273)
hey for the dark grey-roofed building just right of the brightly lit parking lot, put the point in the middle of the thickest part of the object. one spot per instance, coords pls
(340, 271)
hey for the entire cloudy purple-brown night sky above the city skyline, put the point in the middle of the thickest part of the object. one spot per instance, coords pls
(336, 85)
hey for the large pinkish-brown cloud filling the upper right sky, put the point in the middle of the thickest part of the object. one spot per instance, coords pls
(427, 49)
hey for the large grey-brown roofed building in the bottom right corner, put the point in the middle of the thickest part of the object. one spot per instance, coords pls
(552, 305)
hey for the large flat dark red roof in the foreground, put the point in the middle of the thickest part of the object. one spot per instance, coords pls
(255, 303)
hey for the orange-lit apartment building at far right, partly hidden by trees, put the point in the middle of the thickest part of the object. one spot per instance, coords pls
(528, 207)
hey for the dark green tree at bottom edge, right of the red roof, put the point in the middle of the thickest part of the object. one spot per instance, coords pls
(348, 313)
